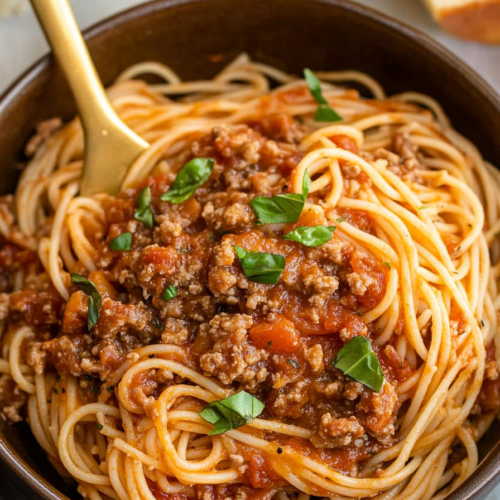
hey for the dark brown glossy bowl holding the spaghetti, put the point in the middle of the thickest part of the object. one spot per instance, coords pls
(291, 34)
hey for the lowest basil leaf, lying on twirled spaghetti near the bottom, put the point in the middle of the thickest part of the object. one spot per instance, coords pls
(232, 412)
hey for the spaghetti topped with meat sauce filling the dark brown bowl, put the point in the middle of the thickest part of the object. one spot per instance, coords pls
(411, 265)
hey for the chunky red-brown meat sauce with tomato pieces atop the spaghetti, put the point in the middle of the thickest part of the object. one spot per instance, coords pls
(274, 341)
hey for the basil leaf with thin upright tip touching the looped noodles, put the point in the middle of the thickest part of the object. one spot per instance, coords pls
(283, 207)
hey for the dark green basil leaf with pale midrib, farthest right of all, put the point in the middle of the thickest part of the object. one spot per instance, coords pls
(357, 360)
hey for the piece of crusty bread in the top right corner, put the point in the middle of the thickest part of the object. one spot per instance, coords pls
(477, 20)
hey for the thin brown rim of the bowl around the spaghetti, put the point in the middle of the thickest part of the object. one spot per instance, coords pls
(486, 474)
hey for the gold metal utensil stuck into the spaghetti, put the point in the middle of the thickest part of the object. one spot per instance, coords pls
(110, 146)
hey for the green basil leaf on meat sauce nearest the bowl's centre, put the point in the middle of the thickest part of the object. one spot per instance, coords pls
(261, 267)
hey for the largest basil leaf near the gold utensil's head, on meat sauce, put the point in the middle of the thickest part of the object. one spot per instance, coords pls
(189, 179)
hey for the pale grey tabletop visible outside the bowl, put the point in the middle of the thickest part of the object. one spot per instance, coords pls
(23, 43)
